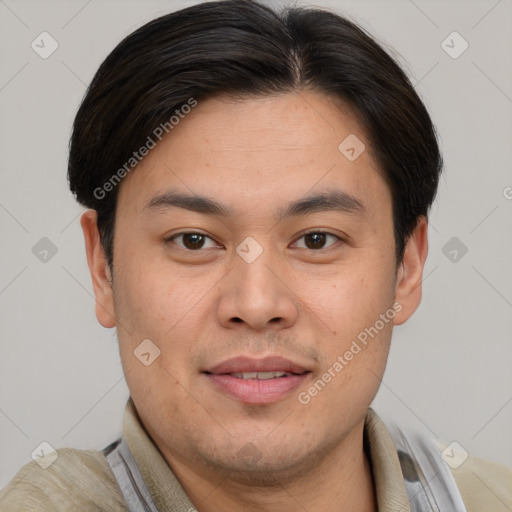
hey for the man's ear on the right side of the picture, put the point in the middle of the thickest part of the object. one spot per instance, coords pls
(410, 273)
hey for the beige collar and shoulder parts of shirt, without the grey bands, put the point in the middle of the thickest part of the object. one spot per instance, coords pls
(82, 480)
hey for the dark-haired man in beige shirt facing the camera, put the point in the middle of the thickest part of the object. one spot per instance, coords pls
(258, 187)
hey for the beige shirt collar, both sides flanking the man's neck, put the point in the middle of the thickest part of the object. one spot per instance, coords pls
(168, 493)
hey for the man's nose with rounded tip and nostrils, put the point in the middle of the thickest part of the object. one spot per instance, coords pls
(257, 294)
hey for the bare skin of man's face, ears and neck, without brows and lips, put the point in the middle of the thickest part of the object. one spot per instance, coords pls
(203, 306)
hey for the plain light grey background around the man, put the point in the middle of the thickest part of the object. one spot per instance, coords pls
(449, 370)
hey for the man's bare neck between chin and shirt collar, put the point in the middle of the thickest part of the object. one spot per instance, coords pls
(340, 481)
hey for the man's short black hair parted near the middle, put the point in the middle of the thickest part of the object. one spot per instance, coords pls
(242, 48)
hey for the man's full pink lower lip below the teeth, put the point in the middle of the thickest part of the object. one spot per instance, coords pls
(255, 391)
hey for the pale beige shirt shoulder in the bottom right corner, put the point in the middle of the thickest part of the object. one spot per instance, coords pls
(484, 485)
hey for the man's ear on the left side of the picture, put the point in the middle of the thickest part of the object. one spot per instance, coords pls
(99, 269)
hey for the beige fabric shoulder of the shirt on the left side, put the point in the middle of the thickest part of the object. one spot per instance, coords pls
(76, 480)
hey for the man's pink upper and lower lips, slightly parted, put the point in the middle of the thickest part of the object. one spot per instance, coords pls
(255, 391)
